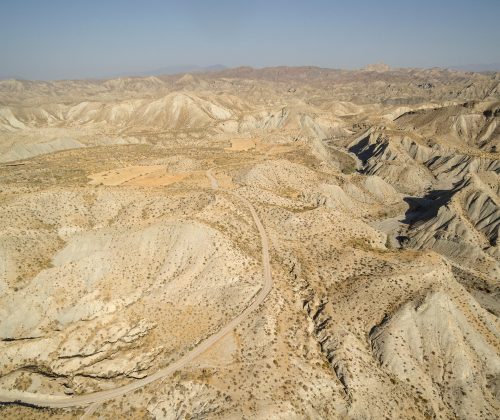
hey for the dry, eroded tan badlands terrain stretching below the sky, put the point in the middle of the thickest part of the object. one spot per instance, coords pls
(274, 243)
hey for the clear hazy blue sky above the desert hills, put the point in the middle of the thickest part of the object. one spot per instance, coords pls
(73, 39)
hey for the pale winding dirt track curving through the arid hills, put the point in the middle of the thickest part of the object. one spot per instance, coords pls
(63, 401)
